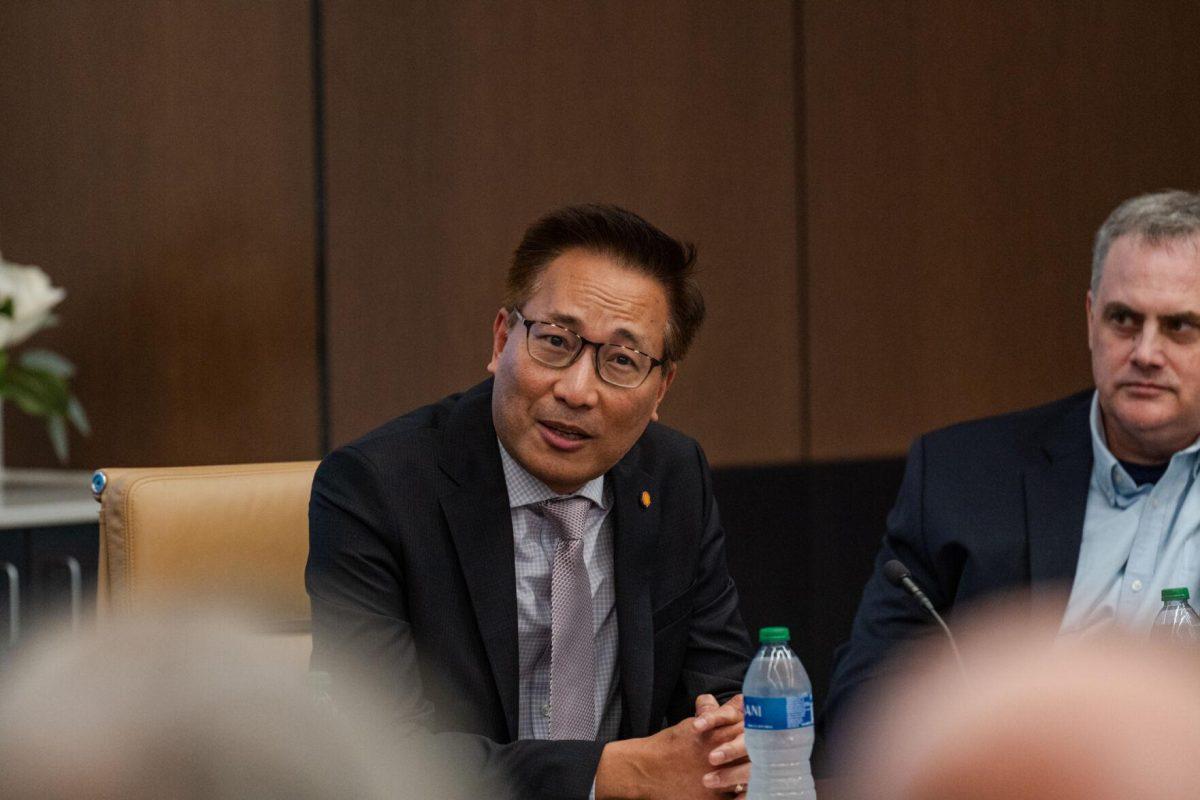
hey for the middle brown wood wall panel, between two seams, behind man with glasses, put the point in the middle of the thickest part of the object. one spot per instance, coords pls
(452, 127)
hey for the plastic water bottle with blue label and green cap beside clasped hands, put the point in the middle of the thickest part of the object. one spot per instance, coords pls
(778, 721)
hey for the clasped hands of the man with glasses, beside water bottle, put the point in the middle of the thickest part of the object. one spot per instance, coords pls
(674, 763)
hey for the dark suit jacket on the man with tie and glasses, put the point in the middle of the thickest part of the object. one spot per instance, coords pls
(411, 572)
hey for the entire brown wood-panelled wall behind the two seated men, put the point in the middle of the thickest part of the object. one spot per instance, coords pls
(893, 201)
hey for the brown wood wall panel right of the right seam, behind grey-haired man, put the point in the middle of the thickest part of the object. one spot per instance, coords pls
(959, 159)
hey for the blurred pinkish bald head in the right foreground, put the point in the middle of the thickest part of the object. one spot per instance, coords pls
(1095, 719)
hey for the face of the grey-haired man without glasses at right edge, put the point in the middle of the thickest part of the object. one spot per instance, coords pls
(1144, 332)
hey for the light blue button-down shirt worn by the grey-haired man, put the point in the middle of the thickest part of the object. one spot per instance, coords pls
(1138, 540)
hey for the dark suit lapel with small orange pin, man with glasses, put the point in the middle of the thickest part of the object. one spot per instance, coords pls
(635, 539)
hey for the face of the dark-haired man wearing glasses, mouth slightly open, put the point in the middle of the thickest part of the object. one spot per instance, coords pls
(568, 426)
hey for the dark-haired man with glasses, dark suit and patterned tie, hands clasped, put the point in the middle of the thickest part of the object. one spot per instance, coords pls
(535, 570)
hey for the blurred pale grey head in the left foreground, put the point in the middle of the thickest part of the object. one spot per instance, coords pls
(177, 709)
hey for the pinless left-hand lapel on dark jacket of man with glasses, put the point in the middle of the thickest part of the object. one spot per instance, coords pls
(477, 512)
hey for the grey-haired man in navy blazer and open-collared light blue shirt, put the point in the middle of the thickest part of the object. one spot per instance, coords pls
(1095, 494)
